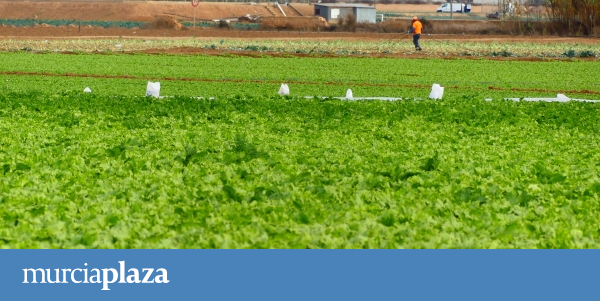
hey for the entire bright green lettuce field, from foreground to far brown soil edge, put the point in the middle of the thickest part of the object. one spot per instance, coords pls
(252, 169)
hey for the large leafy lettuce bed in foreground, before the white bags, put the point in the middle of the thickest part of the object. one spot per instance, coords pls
(79, 170)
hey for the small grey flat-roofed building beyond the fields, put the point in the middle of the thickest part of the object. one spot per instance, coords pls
(333, 12)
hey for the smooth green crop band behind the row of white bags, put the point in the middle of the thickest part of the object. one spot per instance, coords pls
(235, 75)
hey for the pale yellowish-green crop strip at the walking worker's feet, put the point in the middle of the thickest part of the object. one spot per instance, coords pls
(432, 47)
